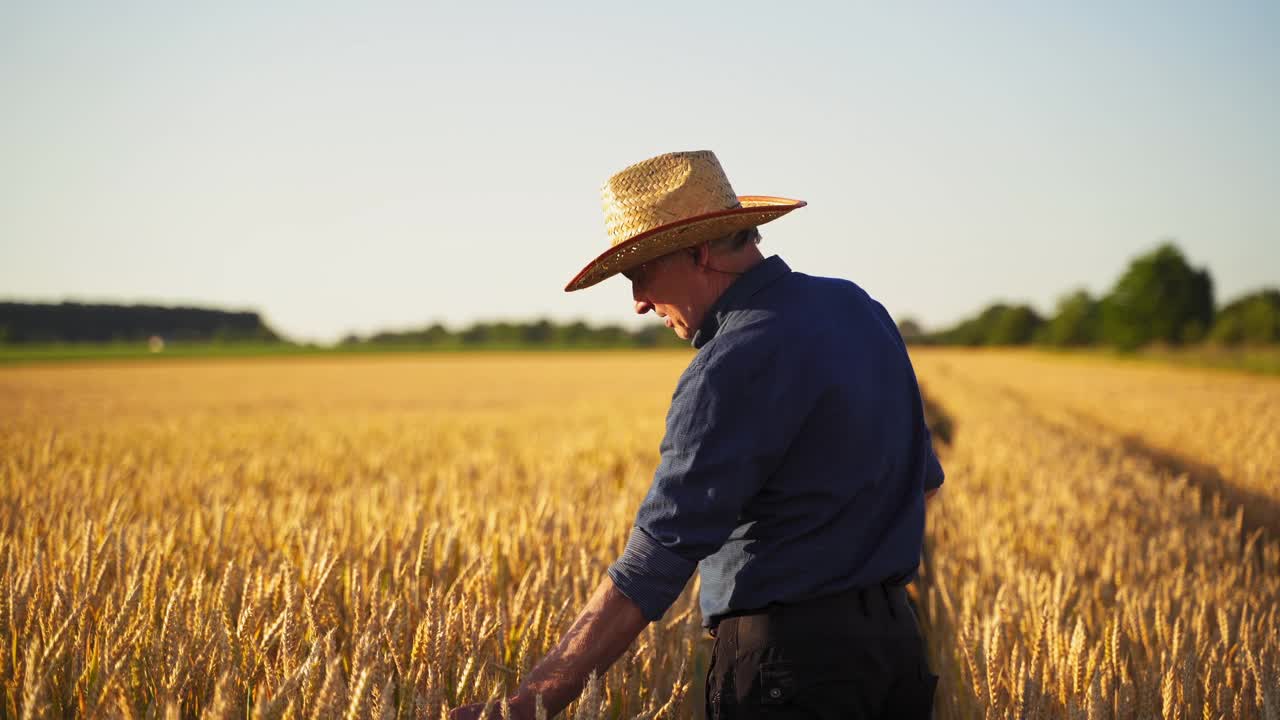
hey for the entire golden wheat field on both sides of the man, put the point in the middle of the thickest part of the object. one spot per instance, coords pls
(391, 536)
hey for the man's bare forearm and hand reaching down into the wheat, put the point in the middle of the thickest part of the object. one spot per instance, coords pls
(601, 635)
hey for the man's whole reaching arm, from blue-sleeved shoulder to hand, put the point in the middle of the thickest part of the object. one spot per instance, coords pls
(724, 432)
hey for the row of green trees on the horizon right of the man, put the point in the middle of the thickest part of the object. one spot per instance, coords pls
(1159, 300)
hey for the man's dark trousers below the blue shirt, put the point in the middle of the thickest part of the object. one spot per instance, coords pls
(854, 655)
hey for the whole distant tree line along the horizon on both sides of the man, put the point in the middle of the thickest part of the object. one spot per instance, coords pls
(1159, 299)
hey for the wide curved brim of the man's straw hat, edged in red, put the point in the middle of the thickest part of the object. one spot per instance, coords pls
(756, 211)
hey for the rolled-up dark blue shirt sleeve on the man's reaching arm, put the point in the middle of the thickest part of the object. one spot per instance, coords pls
(726, 431)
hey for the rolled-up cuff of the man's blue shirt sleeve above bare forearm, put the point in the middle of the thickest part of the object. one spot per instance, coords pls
(650, 575)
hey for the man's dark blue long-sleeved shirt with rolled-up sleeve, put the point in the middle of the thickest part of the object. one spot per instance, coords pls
(796, 458)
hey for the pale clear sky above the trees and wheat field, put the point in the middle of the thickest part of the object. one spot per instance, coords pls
(355, 167)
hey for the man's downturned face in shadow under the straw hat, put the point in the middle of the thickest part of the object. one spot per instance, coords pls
(670, 286)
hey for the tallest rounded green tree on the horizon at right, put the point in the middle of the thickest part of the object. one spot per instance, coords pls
(1159, 299)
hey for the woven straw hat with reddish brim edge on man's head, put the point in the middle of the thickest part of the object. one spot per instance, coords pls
(668, 203)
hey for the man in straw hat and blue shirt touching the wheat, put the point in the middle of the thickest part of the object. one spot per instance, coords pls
(794, 470)
